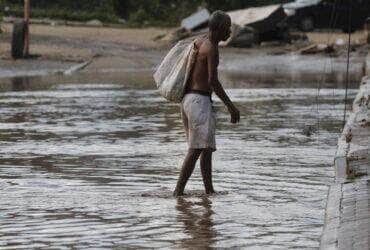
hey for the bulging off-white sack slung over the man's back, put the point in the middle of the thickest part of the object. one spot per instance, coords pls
(173, 73)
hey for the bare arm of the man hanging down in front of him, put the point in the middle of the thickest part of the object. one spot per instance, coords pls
(212, 60)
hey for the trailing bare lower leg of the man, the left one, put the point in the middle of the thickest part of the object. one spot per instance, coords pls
(186, 171)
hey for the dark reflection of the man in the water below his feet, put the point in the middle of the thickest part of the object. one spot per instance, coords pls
(197, 220)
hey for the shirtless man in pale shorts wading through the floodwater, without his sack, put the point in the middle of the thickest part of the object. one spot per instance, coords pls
(196, 107)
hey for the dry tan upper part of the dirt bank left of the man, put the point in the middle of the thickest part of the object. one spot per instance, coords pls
(81, 43)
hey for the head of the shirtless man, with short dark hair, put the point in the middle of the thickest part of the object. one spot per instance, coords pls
(219, 24)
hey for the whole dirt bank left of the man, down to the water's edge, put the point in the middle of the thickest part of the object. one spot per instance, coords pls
(55, 48)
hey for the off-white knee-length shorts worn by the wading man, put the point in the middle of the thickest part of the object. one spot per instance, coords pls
(199, 121)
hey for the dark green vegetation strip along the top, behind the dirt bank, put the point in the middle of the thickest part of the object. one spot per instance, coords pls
(136, 12)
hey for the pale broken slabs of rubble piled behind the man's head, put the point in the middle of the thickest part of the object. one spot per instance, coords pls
(249, 26)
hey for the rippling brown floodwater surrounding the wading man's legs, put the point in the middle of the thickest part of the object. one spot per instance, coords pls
(94, 166)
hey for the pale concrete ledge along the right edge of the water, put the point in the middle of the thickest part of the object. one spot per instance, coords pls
(347, 217)
